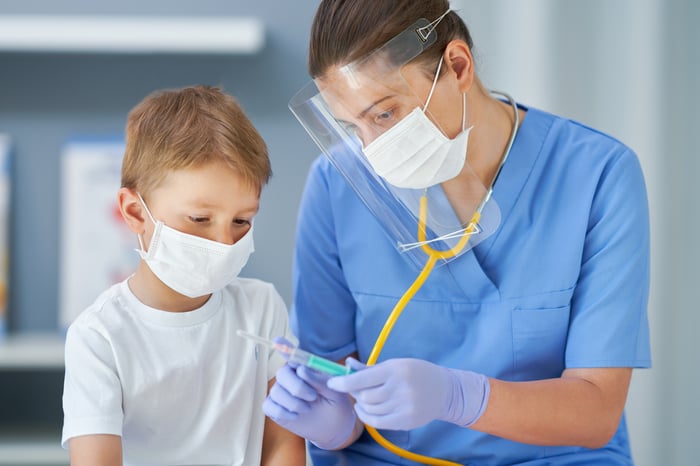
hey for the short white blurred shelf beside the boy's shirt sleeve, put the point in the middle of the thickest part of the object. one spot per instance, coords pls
(32, 351)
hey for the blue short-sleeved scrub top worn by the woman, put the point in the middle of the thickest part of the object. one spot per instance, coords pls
(563, 283)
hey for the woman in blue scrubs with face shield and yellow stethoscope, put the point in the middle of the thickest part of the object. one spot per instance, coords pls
(484, 265)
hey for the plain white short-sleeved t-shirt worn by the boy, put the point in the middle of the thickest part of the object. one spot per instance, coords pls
(179, 388)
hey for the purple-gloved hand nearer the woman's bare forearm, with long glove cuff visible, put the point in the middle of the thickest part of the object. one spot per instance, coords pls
(402, 394)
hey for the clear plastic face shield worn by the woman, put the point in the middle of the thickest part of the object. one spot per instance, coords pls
(370, 118)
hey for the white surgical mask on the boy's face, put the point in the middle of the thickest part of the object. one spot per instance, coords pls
(191, 265)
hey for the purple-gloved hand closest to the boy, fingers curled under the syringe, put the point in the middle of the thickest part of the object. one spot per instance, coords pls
(301, 402)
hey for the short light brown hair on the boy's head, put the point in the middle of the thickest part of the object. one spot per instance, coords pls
(181, 128)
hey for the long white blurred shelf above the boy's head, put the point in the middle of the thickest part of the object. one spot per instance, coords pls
(131, 34)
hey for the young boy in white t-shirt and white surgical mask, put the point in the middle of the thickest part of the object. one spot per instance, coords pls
(155, 373)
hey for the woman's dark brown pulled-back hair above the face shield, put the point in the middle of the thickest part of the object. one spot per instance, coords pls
(346, 30)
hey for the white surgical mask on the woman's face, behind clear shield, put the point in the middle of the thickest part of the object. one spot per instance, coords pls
(414, 153)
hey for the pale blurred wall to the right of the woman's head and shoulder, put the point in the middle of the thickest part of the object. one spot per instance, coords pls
(629, 68)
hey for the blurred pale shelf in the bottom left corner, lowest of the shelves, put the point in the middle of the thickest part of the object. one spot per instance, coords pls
(32, 447)
